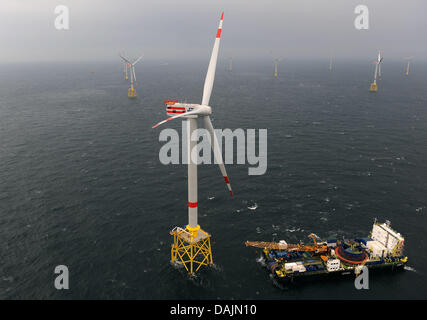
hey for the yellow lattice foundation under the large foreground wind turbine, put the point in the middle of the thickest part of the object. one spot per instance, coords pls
(191, 247)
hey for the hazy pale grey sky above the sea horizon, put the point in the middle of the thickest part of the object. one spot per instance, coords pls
(172, 29)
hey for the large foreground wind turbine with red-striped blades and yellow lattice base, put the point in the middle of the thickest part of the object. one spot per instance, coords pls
(192, 246)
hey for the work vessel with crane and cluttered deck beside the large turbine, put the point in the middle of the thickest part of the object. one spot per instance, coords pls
(383, 249)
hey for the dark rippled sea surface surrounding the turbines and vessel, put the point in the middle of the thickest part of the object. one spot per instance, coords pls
(81, 183)
